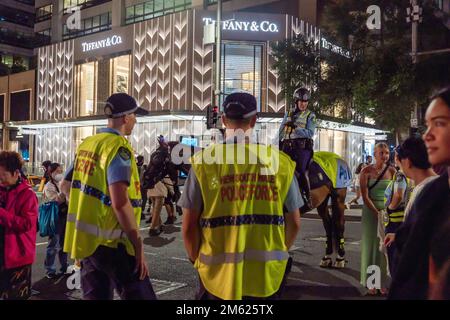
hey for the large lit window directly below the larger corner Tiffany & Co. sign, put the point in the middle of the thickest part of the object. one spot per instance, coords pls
(241, 69)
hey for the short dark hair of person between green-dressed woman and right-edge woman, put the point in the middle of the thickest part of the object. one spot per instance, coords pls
(415, 150)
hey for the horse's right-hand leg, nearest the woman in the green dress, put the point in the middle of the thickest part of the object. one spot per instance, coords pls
(338, 221)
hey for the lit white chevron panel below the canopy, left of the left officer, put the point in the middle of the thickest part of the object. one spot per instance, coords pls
(55, 145)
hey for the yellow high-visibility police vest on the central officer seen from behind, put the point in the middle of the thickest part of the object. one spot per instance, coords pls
(243, 251)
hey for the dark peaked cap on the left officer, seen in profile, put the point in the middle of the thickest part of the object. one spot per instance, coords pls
(120, 104)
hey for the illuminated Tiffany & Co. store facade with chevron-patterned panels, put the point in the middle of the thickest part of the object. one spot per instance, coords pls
(164, 63)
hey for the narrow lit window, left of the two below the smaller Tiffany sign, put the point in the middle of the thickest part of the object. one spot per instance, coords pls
(86, 85)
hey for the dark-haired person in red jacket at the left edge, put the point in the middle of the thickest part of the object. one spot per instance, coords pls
(18, 221)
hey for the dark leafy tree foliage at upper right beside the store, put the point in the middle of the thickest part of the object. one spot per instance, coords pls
(380, 80)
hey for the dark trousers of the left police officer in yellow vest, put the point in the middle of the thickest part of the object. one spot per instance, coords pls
(108, 269)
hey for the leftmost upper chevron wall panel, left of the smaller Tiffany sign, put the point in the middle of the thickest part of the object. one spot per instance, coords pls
(55, 78)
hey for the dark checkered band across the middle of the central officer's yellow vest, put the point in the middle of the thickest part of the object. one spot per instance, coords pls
(242, 219)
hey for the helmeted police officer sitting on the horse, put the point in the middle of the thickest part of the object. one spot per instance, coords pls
(296, 139)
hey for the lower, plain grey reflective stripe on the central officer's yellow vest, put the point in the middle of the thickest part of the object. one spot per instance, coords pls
(248, 255)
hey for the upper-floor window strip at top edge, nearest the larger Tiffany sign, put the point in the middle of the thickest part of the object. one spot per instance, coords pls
(154, 8)
